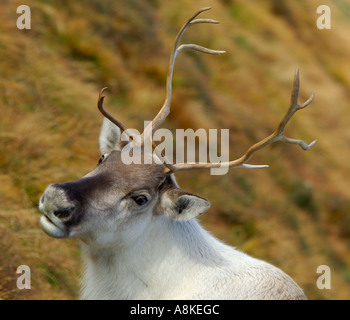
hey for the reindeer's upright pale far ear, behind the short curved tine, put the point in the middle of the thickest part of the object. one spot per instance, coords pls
(109, 137)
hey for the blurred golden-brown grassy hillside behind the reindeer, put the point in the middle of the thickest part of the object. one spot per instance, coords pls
(296, 214)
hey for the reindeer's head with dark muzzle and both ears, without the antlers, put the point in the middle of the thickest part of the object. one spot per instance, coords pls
(115, 202)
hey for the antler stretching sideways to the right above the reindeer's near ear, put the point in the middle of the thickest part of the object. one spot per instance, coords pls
(277, 135)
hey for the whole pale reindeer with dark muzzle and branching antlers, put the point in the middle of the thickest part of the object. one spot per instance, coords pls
(138, 228)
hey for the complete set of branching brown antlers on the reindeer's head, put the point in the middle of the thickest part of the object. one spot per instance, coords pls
(277, 135)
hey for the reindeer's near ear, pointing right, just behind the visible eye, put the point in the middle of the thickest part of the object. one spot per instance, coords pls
(182, 205)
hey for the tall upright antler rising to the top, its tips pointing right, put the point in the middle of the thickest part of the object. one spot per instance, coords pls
(165, 110)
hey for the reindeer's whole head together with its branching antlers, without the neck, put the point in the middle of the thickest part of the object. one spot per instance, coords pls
(116, 202)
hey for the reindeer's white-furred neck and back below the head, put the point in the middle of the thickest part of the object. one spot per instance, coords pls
(180, 260)
